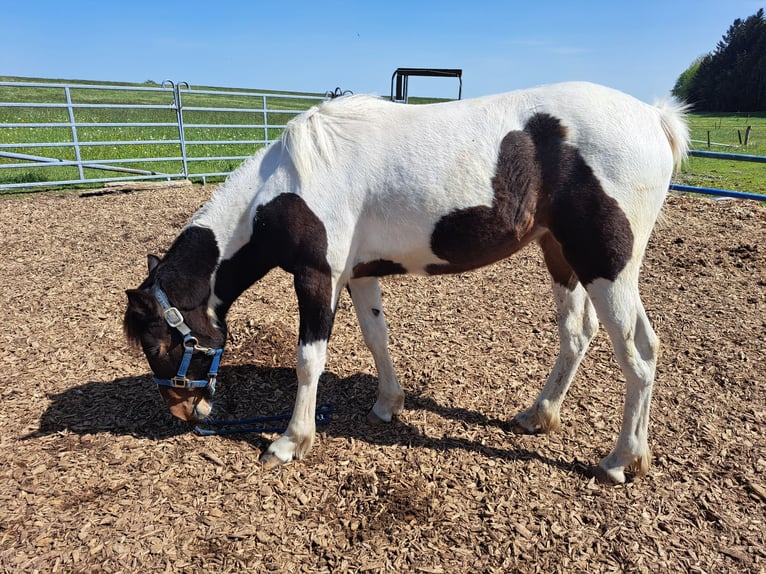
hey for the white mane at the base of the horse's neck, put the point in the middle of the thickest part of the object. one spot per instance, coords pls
(313, 139)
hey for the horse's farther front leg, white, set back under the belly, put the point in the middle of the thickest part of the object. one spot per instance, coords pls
(366, 296)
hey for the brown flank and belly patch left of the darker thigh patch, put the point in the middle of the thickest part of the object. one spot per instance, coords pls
(477, 236)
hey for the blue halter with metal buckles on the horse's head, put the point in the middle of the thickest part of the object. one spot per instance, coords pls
(175, 320)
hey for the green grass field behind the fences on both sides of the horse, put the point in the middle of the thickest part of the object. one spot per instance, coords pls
(160, 137)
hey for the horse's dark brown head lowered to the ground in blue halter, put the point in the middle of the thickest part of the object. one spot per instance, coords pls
(169, 317)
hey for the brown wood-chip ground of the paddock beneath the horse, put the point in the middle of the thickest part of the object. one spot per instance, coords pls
(97, 477)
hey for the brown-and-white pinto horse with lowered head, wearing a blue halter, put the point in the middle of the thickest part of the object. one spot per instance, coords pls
(359, 188)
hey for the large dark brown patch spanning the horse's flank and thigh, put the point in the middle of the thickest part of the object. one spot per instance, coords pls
(540, 181)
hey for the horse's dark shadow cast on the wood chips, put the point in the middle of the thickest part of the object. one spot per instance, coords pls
(131, 406)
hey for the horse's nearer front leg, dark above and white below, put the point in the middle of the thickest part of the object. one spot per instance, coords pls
(315, 302)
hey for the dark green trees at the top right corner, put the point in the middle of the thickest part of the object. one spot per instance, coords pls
(732, 78)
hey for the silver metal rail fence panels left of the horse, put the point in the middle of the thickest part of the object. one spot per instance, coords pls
(54, 134)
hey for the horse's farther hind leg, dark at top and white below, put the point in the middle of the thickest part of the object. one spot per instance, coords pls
(577, 325)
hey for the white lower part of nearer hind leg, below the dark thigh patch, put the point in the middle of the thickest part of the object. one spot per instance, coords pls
(636, 347)
